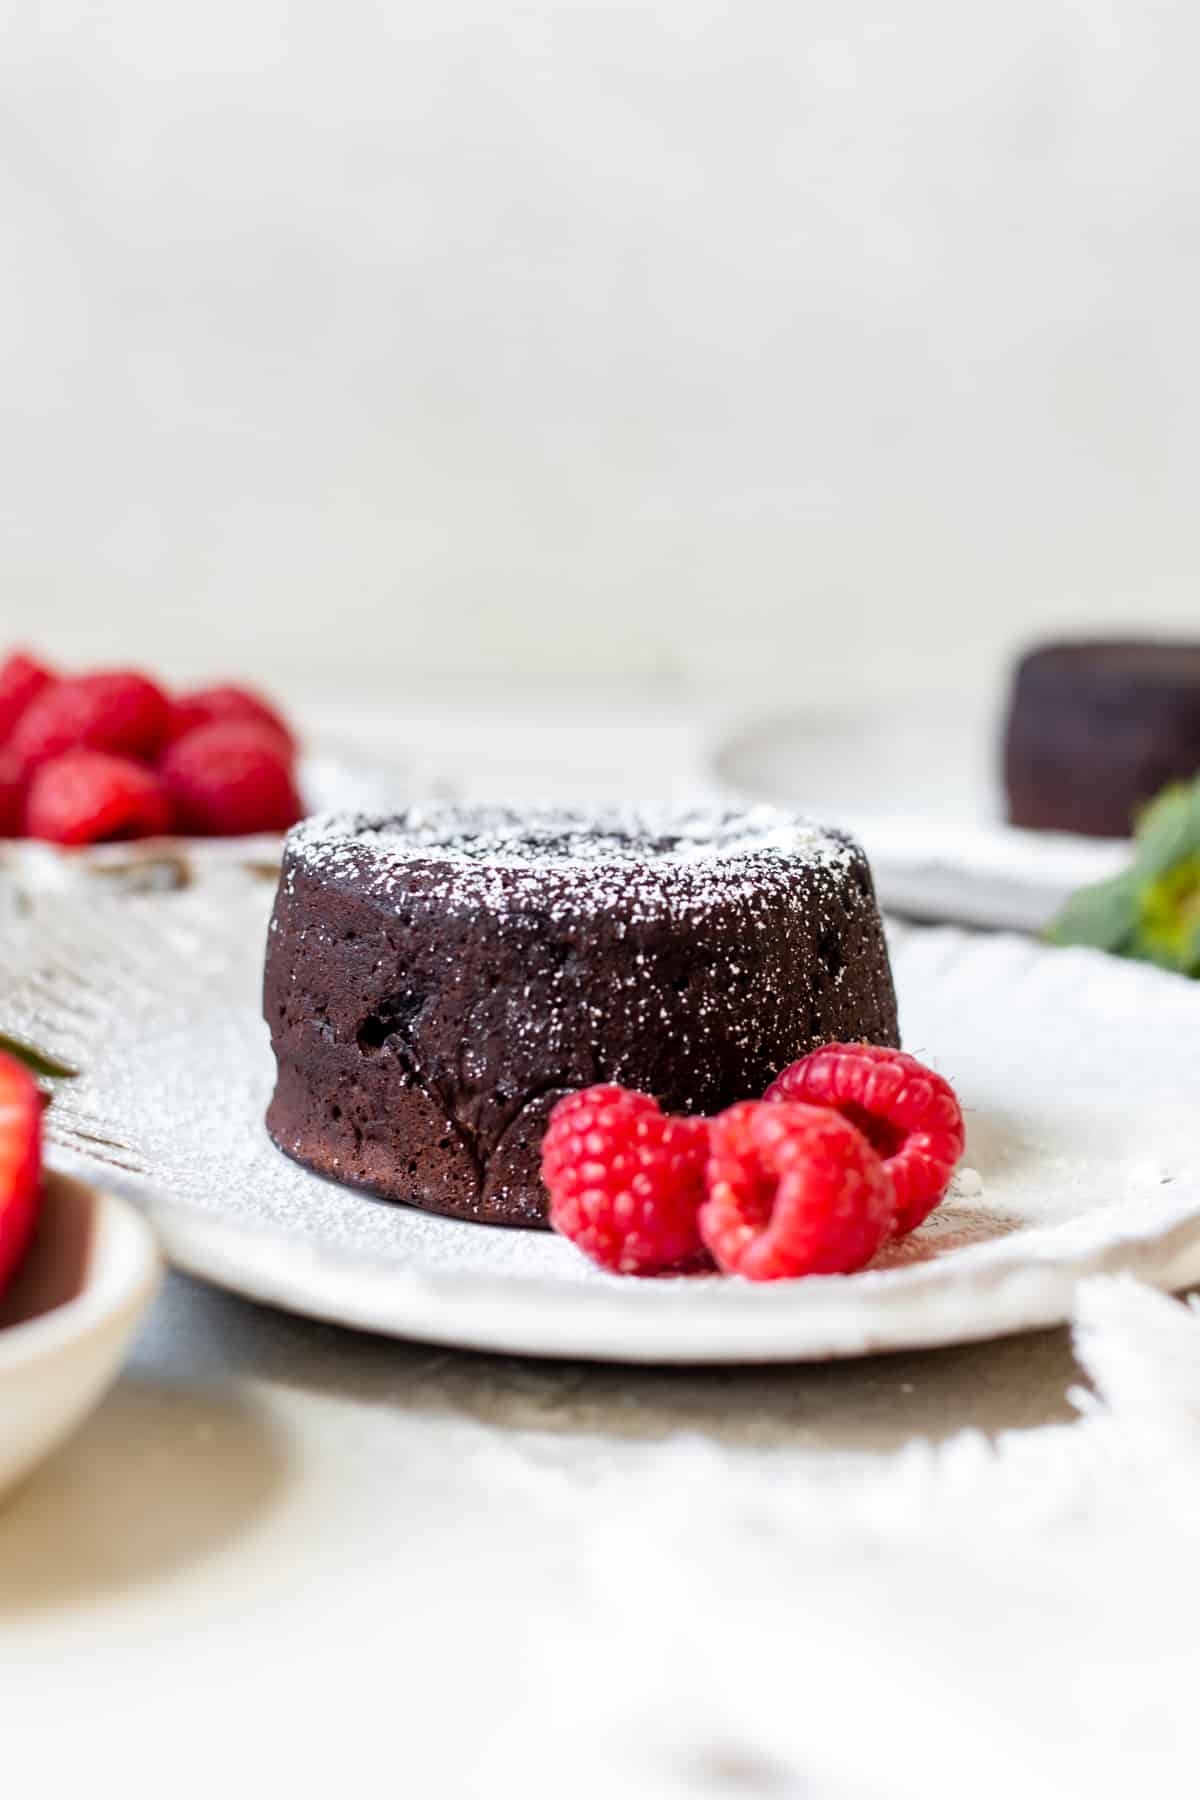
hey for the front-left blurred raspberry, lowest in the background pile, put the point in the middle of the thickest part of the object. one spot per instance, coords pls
(89, 798)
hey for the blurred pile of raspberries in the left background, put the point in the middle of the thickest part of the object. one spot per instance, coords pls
(111, 755)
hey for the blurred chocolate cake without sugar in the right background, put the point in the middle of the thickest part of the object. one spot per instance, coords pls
(1097, 730)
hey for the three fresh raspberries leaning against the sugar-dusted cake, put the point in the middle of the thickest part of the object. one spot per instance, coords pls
(850, 1147)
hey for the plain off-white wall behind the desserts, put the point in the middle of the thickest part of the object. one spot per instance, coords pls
(688, 345)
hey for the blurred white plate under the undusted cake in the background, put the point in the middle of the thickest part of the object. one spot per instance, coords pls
(918, 786)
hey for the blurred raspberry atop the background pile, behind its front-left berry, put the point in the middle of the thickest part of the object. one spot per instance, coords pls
(116, 712)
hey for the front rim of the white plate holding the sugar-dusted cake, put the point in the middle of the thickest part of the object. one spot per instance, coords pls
(470, 1311)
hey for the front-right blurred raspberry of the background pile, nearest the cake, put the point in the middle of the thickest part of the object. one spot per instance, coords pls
(231, 780)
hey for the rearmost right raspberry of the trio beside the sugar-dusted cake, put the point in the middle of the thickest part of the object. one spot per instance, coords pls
(909, 1113)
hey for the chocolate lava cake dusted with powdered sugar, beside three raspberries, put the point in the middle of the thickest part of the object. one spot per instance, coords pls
(438, 980)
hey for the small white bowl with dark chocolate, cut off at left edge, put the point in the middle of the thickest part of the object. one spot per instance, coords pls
(67, 1320)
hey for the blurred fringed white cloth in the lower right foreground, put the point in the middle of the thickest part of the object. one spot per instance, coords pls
(978, 1619)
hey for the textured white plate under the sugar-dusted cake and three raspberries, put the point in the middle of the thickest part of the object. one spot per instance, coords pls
(1077, 1072)
